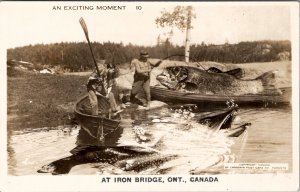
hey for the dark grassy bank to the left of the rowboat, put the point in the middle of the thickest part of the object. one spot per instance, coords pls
(40, 100)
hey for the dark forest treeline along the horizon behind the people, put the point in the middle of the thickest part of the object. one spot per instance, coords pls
(76, 56)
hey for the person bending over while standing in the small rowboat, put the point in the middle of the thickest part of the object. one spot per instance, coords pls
(101, 86)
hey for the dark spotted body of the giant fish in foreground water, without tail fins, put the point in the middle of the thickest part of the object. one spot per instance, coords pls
(128, 158)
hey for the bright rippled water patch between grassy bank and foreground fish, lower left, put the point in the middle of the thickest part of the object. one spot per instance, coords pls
(32, 149)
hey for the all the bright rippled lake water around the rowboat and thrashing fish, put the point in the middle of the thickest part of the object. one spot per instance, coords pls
(268, 140)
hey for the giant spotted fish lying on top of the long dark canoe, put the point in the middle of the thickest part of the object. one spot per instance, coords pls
(213, 81)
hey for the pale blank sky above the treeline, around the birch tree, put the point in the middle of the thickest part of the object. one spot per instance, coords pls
(27, 23)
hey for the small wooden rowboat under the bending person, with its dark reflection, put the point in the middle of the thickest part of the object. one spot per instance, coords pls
(95, 130)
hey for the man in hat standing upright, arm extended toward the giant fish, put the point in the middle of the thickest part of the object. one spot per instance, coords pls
(141, 84)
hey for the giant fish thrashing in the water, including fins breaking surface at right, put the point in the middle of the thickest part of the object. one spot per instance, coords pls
(135, 157)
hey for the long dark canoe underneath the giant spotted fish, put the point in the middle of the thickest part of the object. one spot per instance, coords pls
(172, 96)
